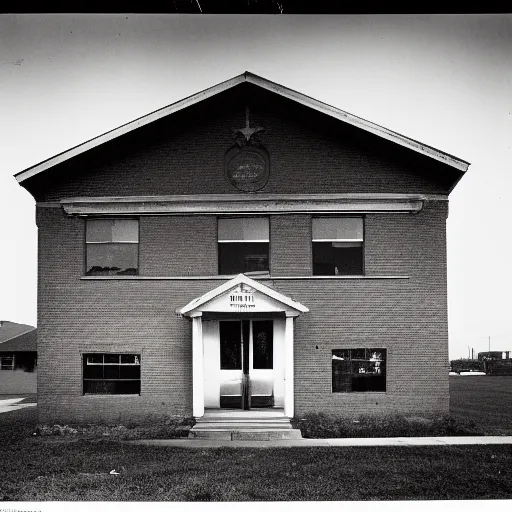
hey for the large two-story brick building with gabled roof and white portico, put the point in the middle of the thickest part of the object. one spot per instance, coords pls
(246, 247)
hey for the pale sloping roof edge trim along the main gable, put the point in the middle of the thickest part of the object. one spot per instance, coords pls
(247, 77)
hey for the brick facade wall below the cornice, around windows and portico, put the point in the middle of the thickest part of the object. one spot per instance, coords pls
(406, 316)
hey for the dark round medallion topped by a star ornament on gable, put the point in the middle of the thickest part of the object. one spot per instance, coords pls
(247, 162)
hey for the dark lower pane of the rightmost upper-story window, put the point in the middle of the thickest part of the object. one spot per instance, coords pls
(337, 259)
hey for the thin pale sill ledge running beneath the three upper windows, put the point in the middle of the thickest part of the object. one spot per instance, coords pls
(227, 277)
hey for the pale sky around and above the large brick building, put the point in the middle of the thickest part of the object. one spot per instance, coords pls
(444, 80)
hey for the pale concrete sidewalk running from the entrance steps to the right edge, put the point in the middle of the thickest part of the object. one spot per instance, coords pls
(377, 441)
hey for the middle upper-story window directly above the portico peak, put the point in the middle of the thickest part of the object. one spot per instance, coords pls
(243, 245)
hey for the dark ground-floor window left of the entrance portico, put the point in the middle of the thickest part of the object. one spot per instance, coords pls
(111, 374)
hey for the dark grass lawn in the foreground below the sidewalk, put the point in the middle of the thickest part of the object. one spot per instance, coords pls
(64, 468)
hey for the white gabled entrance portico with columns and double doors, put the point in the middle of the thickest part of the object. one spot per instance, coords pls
(242, 347)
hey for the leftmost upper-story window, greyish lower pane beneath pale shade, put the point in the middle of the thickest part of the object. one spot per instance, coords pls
(112, 247)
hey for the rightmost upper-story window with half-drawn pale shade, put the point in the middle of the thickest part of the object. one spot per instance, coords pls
(338, 246)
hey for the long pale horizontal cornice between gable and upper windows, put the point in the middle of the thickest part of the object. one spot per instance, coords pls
(225, 204)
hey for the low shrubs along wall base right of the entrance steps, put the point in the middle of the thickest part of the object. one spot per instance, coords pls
(321, 425)
